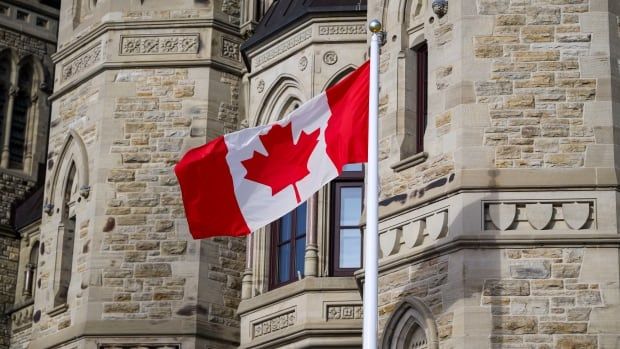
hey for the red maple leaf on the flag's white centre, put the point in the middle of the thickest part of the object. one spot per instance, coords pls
(286, 162)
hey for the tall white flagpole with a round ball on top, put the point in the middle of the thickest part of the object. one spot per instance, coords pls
(371, 238)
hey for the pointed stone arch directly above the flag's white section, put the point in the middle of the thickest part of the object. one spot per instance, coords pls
(285, 89)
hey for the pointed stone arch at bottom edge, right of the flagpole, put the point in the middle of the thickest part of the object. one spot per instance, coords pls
(412, 325)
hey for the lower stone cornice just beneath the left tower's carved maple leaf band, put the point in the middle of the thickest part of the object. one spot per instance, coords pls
(186, 63)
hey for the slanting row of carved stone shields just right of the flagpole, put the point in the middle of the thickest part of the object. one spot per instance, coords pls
(412, 233)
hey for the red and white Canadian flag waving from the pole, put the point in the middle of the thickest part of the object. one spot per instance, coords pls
(244, 180)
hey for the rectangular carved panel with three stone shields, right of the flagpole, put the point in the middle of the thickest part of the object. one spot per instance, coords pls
(574, 215)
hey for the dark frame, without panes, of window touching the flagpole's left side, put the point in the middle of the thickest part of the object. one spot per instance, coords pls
(347, 179)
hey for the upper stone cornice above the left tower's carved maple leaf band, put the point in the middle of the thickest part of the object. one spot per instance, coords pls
(66, 50)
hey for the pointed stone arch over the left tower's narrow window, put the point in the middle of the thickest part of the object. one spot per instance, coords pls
(73, 151)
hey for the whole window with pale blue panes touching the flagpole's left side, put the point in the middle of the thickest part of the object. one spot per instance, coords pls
(347, 195)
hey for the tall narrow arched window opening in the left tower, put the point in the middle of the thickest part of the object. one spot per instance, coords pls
(66, 241)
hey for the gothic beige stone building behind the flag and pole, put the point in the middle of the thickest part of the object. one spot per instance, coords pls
(498, 215)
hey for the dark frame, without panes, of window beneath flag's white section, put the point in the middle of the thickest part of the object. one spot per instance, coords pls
(275, 243)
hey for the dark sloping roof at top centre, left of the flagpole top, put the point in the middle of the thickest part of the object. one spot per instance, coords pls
(284, 14)
